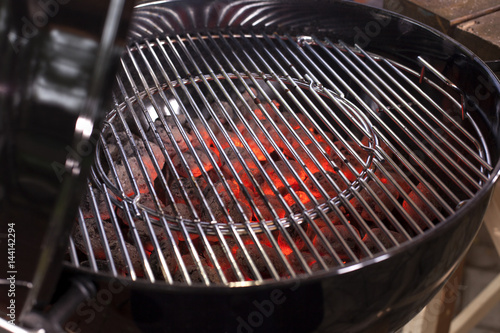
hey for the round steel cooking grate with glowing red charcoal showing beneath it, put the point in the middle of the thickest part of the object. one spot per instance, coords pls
(259, 173)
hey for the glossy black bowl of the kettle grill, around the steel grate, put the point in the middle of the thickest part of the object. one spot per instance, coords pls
(376, 294)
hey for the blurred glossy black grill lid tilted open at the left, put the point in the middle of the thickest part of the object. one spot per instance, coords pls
(56, 68)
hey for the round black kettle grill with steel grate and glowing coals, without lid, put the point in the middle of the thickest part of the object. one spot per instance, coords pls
(259, 165)
